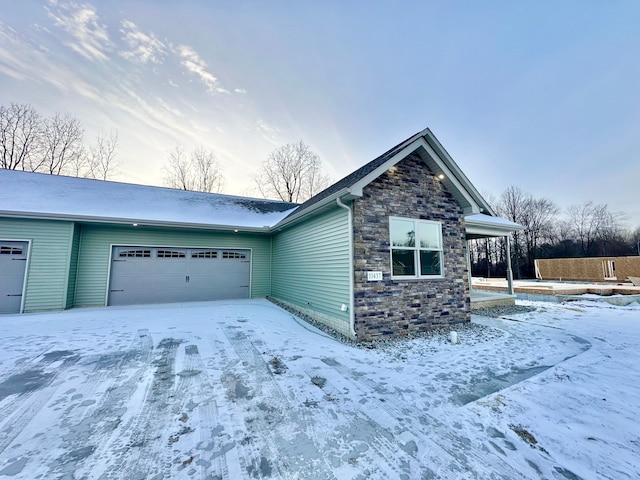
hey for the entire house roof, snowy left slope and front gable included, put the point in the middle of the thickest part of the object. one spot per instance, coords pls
(35, 195)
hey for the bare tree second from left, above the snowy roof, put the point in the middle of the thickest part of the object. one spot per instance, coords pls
(62, 144)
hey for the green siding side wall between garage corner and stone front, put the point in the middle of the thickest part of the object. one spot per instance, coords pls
(311, 264)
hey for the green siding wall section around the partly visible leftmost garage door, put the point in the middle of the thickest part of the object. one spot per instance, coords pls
(48, 263)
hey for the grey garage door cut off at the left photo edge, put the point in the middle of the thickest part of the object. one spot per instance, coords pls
(13, 262)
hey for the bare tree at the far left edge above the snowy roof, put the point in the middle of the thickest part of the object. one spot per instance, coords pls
(20, 132)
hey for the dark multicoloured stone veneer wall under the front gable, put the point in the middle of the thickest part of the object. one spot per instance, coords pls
(392, 307)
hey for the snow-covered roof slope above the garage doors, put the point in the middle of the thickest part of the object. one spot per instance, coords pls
(50, 196)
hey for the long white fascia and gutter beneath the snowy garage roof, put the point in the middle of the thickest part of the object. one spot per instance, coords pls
(131, 221)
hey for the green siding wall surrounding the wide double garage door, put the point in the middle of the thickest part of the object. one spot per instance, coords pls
(95, 248)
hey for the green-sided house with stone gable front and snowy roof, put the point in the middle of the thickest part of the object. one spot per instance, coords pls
(381, 252)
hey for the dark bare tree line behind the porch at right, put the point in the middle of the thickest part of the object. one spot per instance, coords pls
(582, 230)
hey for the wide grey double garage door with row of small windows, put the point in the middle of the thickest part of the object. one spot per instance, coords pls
(142, 275)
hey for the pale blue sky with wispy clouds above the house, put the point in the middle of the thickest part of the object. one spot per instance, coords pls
(539, 95)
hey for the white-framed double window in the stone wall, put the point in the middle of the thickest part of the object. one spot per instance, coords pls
(416, 248)
